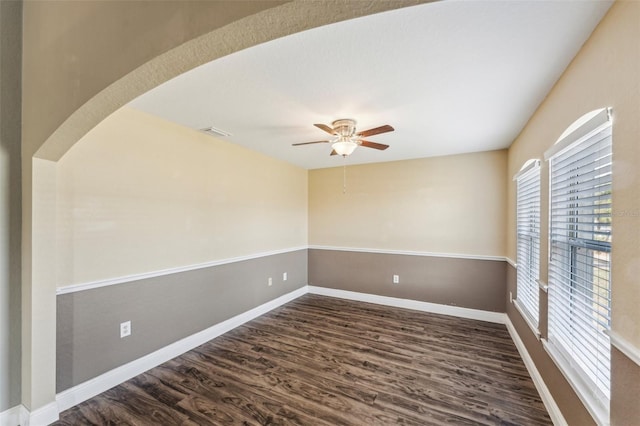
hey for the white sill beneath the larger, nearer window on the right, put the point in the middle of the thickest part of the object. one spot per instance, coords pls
(596, 407)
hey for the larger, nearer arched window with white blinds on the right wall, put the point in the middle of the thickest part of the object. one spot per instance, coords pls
(579, 264)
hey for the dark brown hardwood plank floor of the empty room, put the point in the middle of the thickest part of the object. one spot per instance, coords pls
(326, 361)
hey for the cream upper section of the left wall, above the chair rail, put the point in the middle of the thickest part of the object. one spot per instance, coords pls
(138, 194)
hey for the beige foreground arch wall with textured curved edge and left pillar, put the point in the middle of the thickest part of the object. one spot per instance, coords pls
(56, 116)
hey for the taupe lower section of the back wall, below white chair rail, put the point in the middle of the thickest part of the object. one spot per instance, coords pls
(468, 283)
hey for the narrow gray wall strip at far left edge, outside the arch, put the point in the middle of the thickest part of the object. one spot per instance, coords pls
(10, 202)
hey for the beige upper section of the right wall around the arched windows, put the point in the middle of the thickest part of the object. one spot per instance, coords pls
(606, 73)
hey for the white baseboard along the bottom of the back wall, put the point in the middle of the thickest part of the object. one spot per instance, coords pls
(435, 308)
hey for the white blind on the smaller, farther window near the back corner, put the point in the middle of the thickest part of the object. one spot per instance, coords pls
(528, 239)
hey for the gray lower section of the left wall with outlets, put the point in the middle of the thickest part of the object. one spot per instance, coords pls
(162, 310)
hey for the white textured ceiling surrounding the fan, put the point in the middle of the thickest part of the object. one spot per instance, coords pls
(451, 77)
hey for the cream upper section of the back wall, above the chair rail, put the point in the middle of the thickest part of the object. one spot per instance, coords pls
(453, 204)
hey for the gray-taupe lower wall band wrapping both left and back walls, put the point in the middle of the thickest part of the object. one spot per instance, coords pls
(165, 309)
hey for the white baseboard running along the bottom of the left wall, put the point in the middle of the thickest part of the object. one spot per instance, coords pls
(97, 385)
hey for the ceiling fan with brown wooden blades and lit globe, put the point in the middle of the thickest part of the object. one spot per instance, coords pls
(346, 140)
